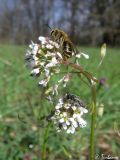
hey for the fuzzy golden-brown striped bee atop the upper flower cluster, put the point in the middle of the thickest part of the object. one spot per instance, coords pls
(66, 45)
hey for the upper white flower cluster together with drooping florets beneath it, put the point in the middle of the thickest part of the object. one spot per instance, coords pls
(44, 60)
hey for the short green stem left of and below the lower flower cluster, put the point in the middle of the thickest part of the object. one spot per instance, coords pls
(45, 138)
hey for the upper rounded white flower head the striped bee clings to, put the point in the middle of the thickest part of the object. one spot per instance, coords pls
(43, 58)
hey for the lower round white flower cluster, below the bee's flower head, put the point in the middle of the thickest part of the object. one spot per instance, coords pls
(68, 114)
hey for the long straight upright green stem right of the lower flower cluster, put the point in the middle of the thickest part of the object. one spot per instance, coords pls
(93, 123)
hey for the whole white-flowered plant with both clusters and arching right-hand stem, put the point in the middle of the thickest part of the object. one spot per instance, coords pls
(45, 60)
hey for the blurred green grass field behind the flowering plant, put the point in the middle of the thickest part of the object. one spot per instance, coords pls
(22, 135)
